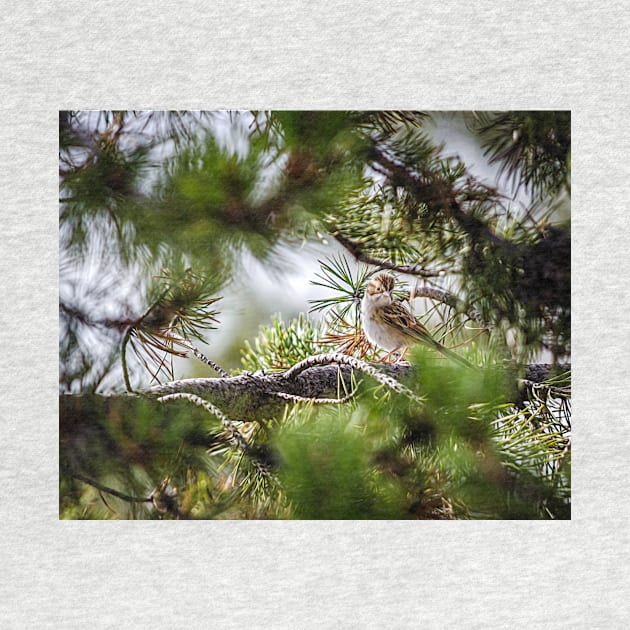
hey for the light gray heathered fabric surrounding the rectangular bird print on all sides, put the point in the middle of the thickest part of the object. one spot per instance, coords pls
(426, 55)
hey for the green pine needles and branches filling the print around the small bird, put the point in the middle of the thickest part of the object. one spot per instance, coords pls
(157, 210)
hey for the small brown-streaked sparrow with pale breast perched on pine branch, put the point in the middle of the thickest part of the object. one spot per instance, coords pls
(388, 324)
